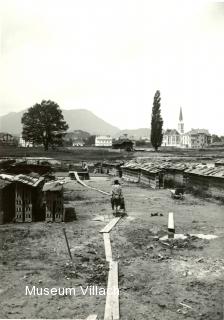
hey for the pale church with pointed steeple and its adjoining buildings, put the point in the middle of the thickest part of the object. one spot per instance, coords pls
(195, 138)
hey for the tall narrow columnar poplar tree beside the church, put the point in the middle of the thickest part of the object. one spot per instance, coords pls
(156, 123)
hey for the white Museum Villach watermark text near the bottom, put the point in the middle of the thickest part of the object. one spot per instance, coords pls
(73, 291)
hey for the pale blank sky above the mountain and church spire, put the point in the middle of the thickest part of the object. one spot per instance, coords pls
(110, 57)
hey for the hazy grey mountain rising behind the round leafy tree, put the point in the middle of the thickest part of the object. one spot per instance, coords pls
(77, 119)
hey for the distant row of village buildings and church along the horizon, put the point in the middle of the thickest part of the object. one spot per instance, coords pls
(174, 138)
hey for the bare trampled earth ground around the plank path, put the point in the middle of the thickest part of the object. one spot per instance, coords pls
(154, 279)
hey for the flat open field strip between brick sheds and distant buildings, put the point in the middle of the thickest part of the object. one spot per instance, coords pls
(99, 154)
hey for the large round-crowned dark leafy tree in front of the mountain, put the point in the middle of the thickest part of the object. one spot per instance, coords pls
(44, 124)
